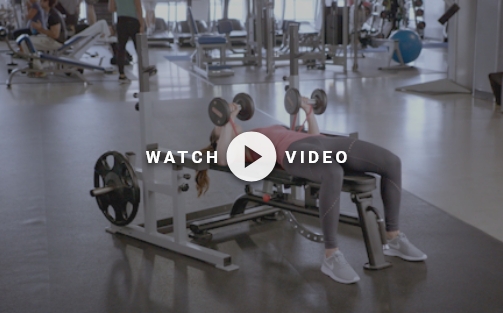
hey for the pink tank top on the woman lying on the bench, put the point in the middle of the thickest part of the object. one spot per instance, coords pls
(281, 138)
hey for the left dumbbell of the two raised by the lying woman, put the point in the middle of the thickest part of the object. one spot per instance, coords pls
(220, 112)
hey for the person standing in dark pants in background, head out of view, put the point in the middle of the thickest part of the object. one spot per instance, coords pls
(129, 23)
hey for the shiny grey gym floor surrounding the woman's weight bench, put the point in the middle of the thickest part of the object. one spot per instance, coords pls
(56, 257)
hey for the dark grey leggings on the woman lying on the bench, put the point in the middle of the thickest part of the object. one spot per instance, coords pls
(362, 157)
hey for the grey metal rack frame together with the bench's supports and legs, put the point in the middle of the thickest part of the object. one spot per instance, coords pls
(174, 235)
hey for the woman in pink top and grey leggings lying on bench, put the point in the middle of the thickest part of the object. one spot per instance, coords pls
(361, 157)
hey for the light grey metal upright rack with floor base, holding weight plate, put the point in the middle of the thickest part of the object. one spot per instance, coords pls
(178, 240)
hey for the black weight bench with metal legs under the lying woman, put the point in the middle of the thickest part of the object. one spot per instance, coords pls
(360, 186)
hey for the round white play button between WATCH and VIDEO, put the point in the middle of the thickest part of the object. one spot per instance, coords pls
(261, 149)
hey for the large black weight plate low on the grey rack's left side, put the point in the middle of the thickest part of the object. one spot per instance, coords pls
(126, 191)
